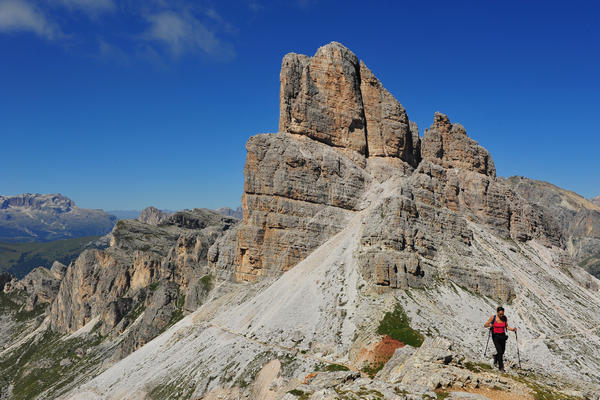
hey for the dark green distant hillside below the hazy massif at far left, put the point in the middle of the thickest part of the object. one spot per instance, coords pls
(20, 258)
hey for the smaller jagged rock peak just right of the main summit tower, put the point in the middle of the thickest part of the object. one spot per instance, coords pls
(448, 145)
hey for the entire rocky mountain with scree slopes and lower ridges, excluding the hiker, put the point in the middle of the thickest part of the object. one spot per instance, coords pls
(364, 266)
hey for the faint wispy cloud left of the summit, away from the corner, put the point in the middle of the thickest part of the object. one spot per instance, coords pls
(182, 32)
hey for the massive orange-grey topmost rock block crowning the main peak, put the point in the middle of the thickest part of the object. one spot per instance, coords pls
(335, 99)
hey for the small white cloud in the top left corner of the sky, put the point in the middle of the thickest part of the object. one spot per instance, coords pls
(20, 16)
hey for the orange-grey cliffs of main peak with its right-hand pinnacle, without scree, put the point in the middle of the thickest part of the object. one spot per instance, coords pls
(340, 130)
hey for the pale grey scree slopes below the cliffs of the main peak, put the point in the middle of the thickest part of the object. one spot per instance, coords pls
(325, 313)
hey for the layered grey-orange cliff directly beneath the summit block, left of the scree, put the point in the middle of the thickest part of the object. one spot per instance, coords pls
(298, 192)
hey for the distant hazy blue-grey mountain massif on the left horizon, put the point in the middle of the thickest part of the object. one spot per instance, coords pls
(37, 217)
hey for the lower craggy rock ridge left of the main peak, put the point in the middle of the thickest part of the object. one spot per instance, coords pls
(144, 265)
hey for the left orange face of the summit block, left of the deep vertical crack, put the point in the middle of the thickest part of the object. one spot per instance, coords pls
(320, 97)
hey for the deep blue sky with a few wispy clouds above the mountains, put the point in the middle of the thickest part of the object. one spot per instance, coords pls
(125, 104)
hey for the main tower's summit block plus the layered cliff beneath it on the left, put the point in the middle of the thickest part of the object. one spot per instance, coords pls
(302, 183)
